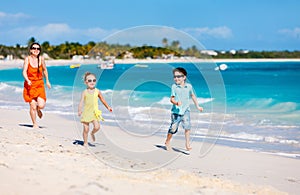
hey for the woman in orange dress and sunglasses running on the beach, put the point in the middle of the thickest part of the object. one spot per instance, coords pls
(34, 90)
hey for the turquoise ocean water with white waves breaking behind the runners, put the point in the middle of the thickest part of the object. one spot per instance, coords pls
(252, 105)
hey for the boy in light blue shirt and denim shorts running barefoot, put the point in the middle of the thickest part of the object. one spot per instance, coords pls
(180, 96)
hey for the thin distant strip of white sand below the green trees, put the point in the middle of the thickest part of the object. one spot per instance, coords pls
(18, 63)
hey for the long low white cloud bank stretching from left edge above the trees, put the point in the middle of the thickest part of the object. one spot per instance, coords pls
(57, 33)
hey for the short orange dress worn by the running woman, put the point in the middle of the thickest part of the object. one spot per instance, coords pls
(37, 88)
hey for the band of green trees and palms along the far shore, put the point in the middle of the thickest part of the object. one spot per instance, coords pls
(103, 49)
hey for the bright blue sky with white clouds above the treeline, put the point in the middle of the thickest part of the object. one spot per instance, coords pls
(216, 24)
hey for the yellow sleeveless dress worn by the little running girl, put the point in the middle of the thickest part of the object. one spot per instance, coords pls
(91, 111)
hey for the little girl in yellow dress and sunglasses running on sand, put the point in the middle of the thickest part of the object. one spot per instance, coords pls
(91, 113)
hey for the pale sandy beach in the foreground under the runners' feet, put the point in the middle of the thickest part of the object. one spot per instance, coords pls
(61, 167)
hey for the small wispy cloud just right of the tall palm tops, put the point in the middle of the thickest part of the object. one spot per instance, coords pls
(221, 32)
